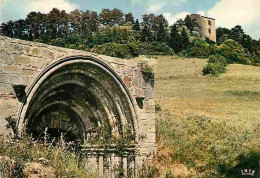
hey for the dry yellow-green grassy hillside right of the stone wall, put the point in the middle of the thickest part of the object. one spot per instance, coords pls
(205, 122)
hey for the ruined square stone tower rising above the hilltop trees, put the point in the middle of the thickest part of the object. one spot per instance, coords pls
(205, 26)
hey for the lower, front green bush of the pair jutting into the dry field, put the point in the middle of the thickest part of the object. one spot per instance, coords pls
(214, 69)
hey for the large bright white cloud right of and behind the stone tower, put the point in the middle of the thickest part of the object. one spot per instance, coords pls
(246, 13)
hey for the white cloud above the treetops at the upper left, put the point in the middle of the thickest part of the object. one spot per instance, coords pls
(45, 6)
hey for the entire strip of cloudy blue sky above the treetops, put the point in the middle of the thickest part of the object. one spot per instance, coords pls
(227, 13)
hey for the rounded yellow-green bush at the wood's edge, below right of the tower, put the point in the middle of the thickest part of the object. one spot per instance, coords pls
(233, 52)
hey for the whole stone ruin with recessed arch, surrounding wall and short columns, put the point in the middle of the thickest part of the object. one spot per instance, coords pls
(86, 91)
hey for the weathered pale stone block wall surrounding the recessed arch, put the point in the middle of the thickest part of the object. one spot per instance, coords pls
(21, 62)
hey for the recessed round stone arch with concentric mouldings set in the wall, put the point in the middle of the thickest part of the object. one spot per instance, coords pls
(85, 91)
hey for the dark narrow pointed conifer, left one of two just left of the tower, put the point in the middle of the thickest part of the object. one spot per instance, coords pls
(175, 39)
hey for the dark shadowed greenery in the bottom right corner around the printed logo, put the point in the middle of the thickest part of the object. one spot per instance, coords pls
(249, 161)
